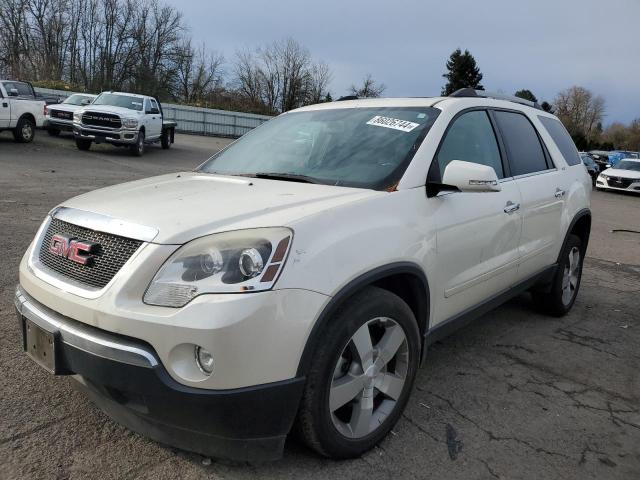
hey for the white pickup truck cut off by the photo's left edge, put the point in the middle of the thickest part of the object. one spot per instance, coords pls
(20, 111)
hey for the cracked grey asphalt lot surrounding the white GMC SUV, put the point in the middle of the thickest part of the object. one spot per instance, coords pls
(515, 395)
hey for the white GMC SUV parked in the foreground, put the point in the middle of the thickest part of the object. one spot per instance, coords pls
(300, 274)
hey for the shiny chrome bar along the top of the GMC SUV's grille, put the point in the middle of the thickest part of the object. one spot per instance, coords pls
(106, 224)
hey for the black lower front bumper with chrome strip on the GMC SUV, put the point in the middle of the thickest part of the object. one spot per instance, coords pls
(126, 379)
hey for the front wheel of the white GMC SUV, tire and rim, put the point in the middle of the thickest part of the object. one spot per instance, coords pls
(362, 375)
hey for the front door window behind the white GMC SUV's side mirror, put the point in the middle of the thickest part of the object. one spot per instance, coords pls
(471, 139)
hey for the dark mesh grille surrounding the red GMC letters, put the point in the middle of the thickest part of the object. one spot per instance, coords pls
(112, 253)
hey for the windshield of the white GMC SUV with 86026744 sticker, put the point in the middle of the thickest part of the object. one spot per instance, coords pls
(354, 147)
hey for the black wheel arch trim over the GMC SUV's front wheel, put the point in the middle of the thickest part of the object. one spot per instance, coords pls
(405, 279)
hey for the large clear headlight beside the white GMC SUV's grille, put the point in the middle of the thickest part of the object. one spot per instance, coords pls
(230, 262)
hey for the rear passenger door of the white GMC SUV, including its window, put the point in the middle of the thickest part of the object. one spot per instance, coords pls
(542, 187)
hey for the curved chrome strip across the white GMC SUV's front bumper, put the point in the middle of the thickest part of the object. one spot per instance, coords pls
(84, 337)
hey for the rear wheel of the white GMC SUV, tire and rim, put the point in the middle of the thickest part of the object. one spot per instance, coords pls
(566, 282)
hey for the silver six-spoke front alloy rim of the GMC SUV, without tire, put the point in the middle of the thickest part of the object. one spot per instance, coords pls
(369, 377)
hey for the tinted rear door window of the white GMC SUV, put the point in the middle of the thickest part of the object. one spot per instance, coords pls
(522, 143)
